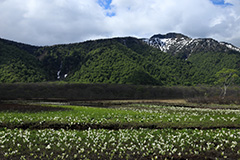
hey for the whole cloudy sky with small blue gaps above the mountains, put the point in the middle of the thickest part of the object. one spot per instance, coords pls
(44, 22)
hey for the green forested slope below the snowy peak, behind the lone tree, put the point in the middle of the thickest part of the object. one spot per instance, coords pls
(206, 65)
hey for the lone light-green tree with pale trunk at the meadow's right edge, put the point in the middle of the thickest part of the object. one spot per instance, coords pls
(225, 78)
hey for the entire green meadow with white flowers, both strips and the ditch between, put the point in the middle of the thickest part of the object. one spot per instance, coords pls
(128, 131)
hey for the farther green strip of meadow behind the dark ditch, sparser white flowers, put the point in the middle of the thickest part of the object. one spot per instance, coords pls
(140, 116)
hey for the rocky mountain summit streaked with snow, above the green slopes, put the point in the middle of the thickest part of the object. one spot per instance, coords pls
(183, 46)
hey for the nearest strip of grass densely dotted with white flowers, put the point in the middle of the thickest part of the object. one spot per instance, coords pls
(120, 144)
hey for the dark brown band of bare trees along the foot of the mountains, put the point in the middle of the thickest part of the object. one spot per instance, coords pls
(76, 92)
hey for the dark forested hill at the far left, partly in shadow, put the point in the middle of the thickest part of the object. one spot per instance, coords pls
(19, 64)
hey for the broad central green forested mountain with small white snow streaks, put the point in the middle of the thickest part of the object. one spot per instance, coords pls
(118, 60)
